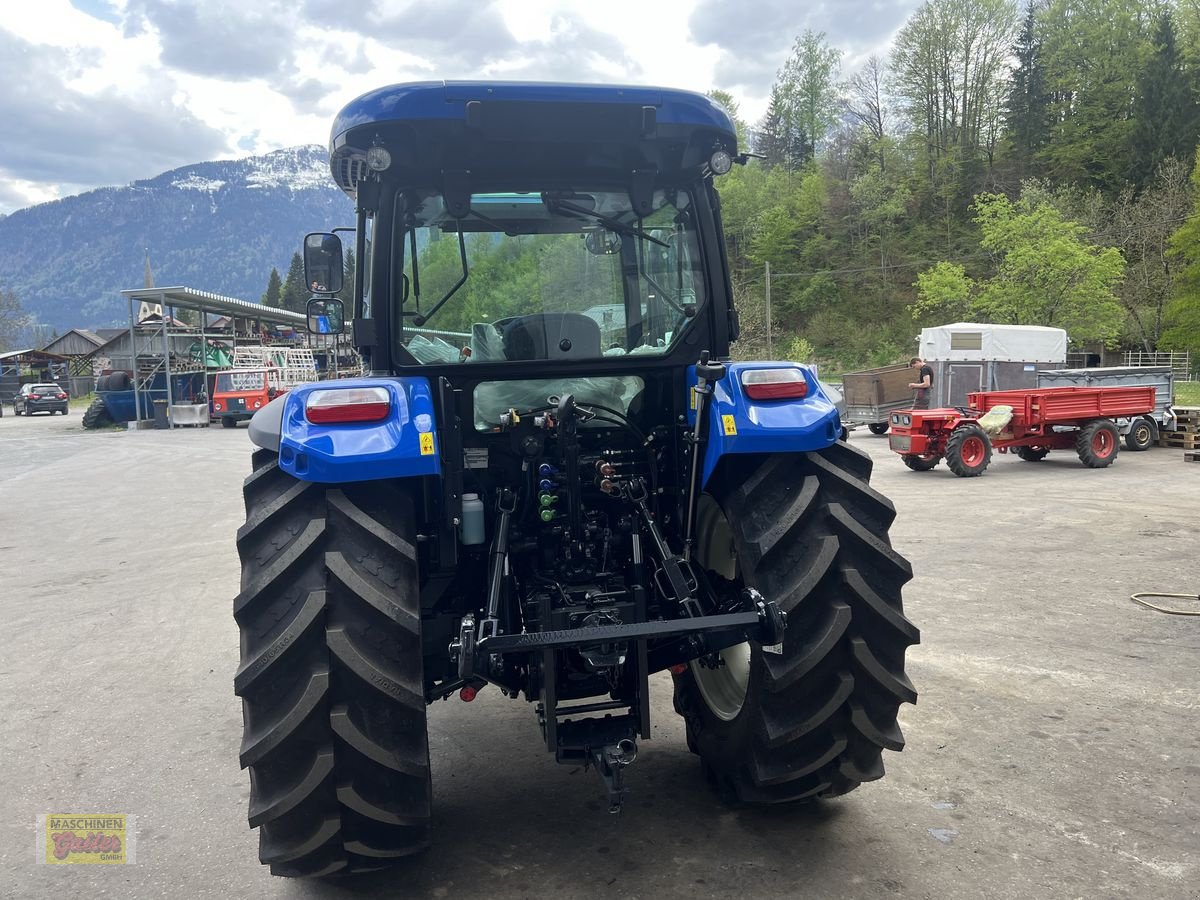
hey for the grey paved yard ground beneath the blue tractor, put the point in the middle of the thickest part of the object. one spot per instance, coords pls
(1054, 752)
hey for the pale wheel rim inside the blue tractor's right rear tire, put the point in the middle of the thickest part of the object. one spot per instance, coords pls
(723, 689)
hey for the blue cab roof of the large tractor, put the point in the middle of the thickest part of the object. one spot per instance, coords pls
(502, 133)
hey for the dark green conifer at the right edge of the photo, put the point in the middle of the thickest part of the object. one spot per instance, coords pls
(1165, 109)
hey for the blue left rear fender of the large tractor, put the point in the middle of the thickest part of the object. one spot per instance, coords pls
(405, 445)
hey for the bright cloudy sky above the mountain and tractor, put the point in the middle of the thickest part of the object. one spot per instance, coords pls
(107, 92)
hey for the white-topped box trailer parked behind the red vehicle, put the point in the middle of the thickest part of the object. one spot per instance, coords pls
(975, 357)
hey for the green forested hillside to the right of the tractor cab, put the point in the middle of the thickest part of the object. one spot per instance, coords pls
(1028, 165)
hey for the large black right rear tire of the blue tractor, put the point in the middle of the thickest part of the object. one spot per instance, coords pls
(812, 721)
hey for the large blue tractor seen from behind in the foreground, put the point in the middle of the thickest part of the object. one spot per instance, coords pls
(553, 483)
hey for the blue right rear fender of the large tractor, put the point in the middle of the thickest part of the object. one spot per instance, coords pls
(741, 425)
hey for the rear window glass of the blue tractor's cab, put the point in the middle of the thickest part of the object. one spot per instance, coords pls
(553, 275)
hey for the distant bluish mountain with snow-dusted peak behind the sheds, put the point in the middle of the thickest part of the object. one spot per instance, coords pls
(214, 226)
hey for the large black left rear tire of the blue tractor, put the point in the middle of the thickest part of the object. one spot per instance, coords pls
(332, 674)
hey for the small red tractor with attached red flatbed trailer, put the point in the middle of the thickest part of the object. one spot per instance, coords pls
(1031, 423)
